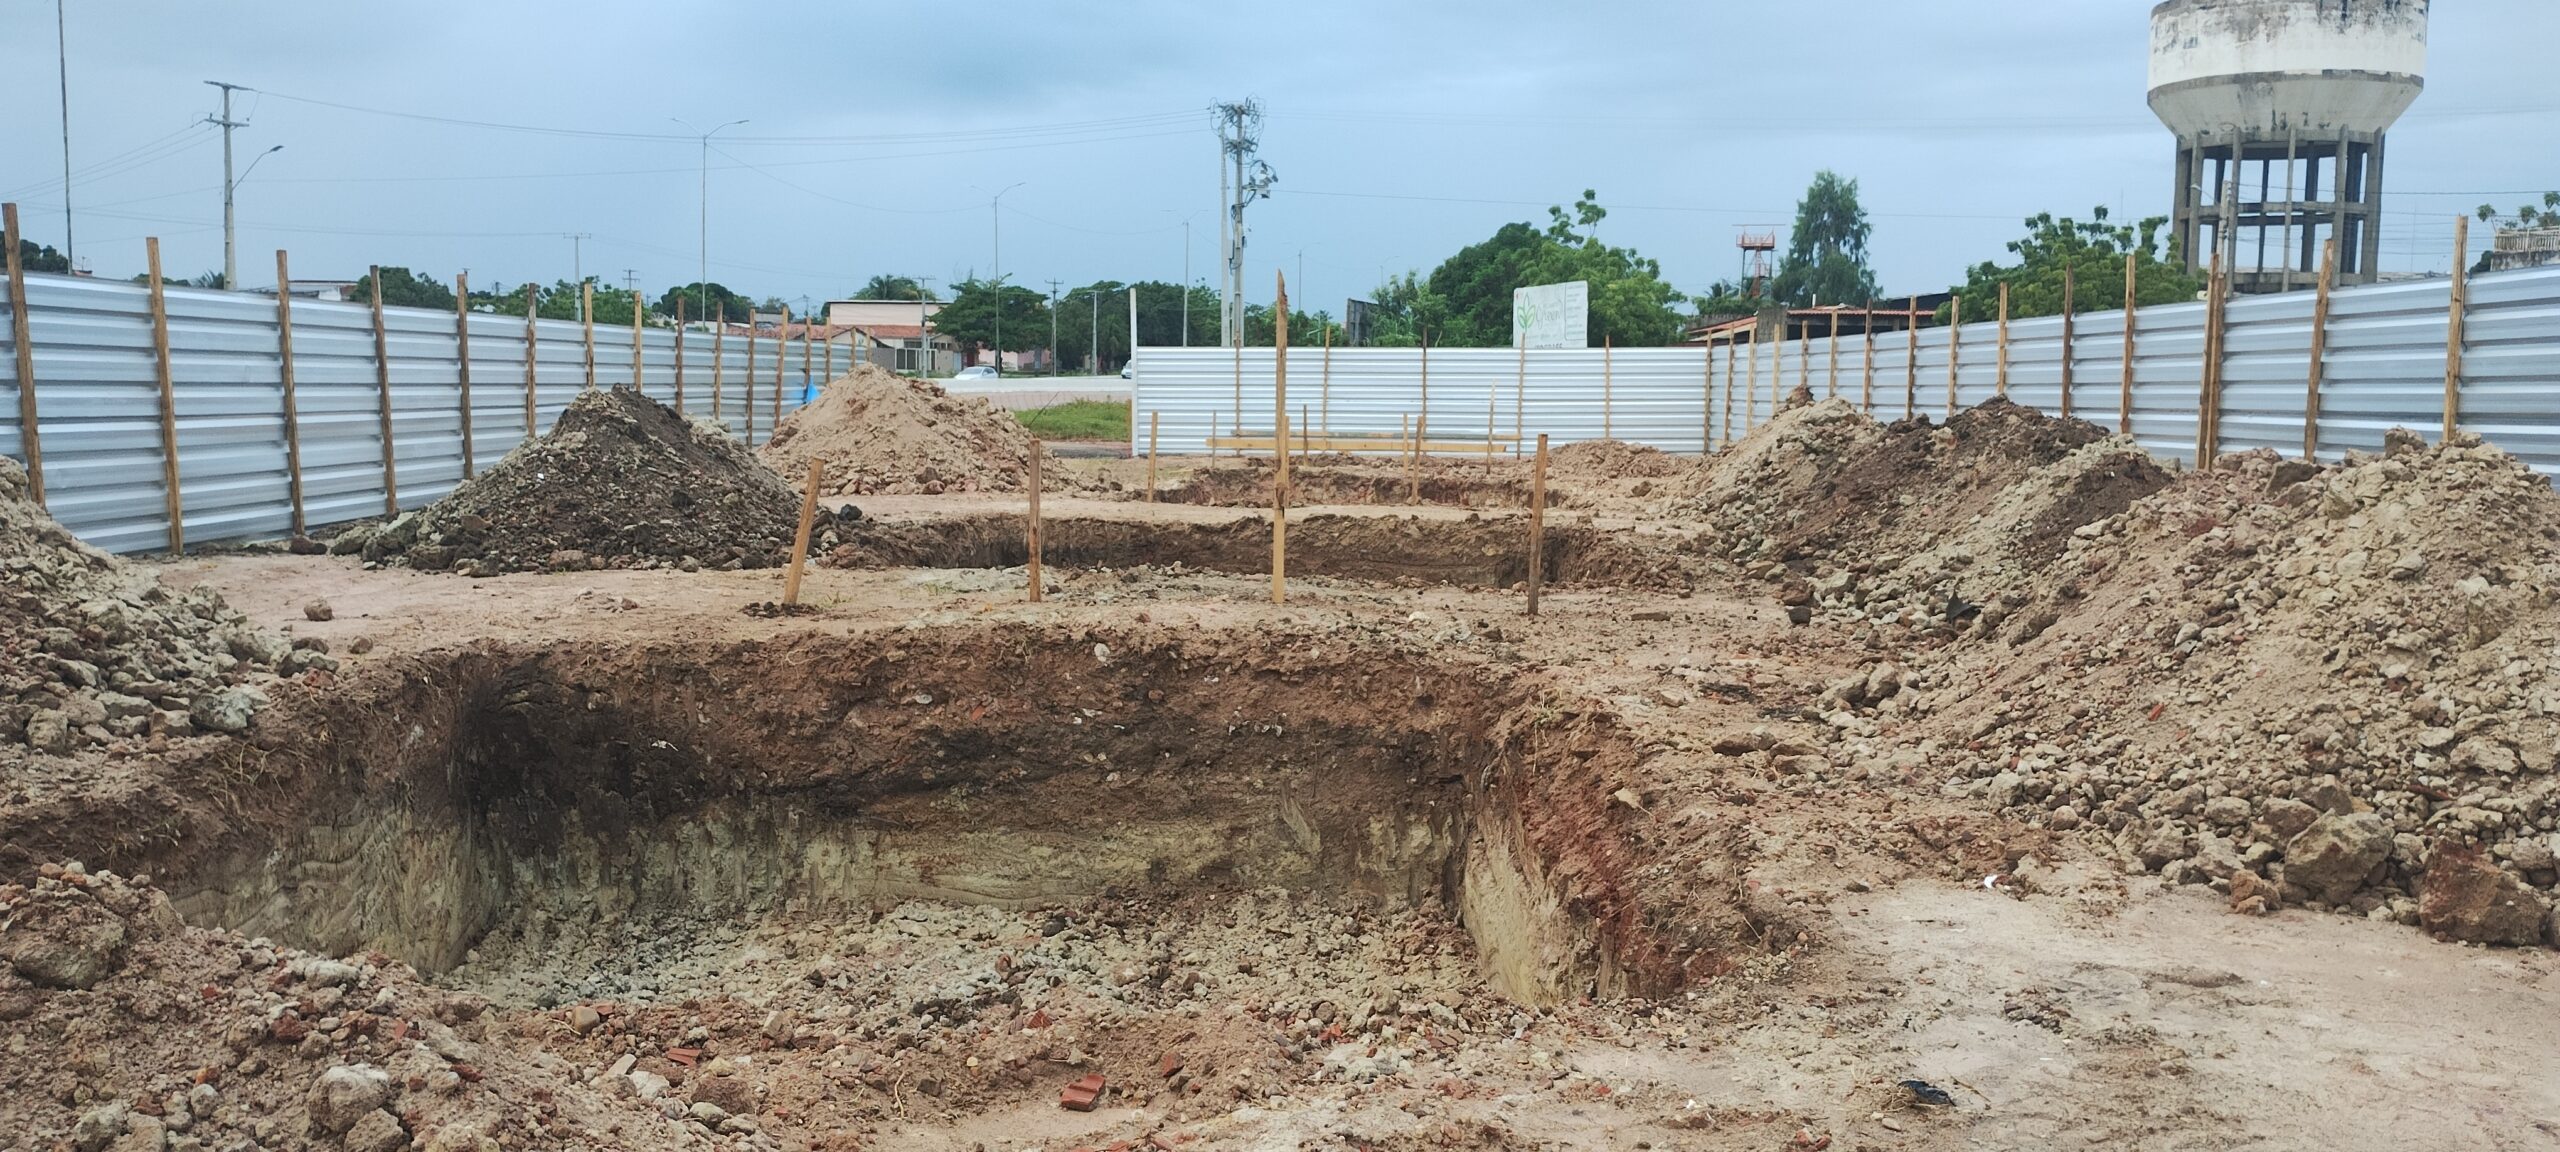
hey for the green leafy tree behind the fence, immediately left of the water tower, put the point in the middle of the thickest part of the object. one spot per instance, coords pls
(2095, 252)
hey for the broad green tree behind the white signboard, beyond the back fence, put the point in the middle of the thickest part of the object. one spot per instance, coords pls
(1466, 303)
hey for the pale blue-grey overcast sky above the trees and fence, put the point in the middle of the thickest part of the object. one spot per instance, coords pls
(1402, 132)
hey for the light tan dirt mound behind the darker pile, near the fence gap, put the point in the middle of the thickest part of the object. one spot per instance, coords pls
(884, 434)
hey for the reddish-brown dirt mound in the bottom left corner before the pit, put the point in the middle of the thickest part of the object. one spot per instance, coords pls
(191, 1038)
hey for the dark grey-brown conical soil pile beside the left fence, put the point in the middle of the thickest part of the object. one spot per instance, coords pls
(618, 483)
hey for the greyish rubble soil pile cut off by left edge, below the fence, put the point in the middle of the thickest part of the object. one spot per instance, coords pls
(101, 654)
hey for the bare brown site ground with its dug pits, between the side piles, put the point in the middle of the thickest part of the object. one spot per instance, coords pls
(641, 861)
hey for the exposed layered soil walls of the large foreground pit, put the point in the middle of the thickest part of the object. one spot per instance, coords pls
(506, 790)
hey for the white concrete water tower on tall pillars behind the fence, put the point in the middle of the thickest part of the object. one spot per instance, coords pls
(2282, 111)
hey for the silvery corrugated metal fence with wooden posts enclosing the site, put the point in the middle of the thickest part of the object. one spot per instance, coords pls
(99, 390)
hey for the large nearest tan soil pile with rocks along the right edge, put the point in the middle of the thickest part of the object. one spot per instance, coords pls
(2298, 685)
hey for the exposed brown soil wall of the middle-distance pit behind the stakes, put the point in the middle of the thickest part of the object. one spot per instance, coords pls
(1373, 549)
